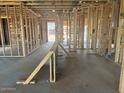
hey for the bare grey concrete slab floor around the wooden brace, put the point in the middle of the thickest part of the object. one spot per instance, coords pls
(82, 73)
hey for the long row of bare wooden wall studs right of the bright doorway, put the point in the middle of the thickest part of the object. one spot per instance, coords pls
(92, 27)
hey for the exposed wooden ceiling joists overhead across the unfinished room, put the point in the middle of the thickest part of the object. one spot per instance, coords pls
(45, 6)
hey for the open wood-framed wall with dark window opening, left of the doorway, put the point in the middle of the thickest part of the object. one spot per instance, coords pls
(20, 31)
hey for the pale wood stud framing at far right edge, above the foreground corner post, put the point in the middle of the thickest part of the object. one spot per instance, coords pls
(120, 36)
